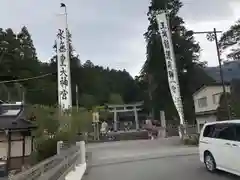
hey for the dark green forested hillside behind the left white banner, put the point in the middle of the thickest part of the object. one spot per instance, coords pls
(96, 85)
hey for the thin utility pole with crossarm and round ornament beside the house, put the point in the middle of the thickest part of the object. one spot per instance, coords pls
(212, 36)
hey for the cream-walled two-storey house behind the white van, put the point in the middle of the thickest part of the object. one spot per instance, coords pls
(206, 101)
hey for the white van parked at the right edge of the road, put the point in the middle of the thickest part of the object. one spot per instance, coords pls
(219, 146)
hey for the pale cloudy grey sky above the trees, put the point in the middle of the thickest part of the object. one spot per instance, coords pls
(110, 32)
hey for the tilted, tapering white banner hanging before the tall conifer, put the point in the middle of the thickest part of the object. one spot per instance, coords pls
(170, 63)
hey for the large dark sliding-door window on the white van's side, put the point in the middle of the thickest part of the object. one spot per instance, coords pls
(225, 131)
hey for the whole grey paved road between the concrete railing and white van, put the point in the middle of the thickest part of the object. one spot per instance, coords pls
(164, 159)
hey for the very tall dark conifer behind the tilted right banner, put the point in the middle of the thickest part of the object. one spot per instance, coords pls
(187, 60)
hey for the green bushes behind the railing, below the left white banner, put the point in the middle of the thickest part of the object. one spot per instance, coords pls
(53, 127)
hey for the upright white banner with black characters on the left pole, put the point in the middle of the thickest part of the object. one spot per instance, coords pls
(63, 61)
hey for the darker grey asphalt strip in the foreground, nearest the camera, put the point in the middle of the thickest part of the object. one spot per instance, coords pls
(164, 168)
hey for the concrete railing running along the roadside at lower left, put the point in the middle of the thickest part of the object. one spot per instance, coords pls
(56, 167)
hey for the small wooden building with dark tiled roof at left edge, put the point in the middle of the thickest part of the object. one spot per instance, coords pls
(16, 140)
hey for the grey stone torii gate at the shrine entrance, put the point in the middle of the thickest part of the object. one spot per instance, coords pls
(134, 107)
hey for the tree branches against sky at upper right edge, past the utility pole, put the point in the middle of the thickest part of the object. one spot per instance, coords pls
(230, 40)
